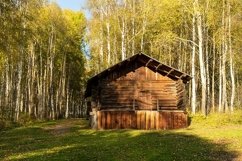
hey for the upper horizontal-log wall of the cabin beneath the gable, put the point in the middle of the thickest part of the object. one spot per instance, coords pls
(139, 89)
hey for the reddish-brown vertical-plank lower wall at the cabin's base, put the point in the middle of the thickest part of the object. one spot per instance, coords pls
(141, 119)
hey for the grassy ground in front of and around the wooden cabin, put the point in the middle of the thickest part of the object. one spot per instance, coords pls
(216, 138)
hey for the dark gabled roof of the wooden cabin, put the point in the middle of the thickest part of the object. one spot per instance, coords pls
(145, 60)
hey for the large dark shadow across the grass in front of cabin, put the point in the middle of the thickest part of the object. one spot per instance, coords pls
(34, 143)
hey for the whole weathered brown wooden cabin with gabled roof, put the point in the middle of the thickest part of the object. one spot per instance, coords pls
(138, 93)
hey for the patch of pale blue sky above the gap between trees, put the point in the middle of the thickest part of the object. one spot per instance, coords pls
(75, 5)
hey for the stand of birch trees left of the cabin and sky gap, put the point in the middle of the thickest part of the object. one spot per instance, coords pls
(41, 59)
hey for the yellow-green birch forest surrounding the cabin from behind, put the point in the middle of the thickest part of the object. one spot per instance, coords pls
(47, 53)
